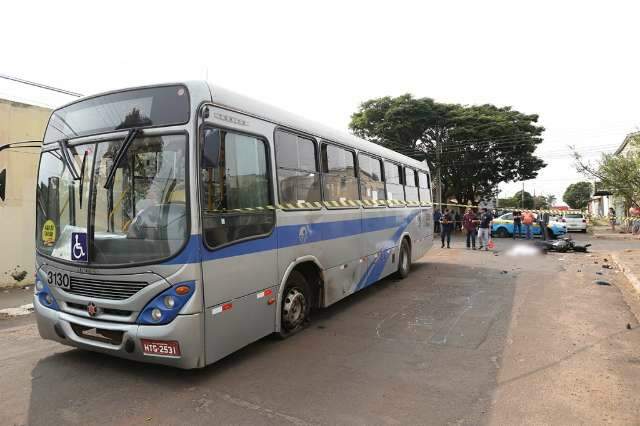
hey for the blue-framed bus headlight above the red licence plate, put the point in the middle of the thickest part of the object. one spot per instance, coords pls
(165, 306)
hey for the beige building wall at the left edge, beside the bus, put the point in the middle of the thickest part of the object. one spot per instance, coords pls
(18, 168)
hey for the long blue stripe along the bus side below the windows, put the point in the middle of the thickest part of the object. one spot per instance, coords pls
(290, 235)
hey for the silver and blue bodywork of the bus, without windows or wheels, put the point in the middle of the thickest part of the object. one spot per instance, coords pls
(237, 288)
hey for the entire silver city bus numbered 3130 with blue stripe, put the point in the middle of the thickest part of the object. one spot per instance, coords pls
(178, 223)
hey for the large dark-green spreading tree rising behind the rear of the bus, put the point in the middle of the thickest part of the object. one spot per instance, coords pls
(477, 147)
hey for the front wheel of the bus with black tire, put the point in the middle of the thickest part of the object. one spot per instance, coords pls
(295, 306)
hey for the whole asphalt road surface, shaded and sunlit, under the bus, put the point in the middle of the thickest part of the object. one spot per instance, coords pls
(469, 338)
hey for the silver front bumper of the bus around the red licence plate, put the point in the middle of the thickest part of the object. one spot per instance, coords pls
(127, 342)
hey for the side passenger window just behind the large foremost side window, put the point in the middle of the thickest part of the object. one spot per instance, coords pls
(298, 176)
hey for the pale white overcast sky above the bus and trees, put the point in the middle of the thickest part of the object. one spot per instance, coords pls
(573, 63)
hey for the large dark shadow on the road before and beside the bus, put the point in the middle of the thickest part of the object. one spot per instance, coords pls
(423, 349)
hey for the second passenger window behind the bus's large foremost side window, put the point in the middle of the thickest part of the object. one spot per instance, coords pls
(339, 180)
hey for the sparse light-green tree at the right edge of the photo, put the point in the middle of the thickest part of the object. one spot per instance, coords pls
(617, 173)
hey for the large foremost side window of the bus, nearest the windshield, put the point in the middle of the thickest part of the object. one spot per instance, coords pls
(235, 180)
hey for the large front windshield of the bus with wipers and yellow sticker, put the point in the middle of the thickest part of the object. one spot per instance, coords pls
(140, 217)
